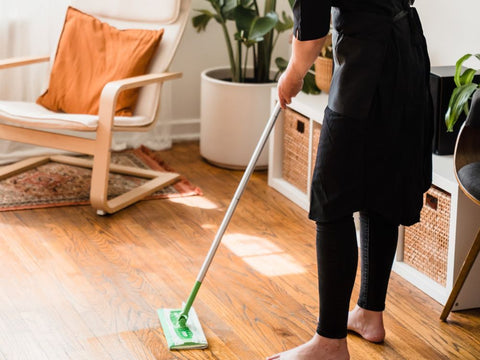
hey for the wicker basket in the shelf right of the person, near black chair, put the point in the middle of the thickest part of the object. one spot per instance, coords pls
(426, 243)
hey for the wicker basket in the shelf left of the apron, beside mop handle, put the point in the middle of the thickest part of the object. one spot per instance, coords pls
(296, 135)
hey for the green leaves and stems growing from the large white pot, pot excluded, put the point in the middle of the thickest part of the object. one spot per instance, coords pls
(254, 33)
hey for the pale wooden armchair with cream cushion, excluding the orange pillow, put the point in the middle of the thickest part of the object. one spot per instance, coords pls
(34, 124)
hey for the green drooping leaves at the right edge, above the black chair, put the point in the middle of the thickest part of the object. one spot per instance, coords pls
(461, 95)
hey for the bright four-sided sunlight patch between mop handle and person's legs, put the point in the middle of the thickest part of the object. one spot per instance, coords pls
(262, 255)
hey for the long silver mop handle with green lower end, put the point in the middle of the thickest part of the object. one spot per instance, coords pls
(231, 208)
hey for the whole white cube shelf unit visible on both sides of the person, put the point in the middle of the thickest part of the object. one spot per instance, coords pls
(464, 215)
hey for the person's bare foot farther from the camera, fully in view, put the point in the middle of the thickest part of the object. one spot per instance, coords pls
(368, 324)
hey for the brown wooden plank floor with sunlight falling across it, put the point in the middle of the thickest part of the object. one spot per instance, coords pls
(74, 285)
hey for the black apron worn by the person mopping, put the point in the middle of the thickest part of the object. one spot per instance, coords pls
(375, 145)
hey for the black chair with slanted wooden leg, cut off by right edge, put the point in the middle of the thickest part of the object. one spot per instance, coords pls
(467, 172)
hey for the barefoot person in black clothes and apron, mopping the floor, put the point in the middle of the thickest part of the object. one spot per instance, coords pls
(374, 155)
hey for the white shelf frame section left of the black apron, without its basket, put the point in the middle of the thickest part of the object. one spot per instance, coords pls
(312, 107)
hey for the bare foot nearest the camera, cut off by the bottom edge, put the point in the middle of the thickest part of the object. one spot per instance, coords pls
(318, 348)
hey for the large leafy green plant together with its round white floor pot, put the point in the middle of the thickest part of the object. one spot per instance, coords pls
(235, 100)
